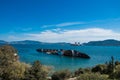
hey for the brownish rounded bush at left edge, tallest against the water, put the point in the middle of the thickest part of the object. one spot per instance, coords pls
(7, 55)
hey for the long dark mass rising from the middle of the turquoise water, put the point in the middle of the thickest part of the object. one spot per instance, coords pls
(69, 53)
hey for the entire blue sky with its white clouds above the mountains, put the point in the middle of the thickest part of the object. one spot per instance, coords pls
(59, 20)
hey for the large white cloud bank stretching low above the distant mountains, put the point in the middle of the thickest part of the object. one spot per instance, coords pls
(83, 35)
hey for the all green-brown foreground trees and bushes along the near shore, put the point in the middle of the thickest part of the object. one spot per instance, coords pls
(12, 69)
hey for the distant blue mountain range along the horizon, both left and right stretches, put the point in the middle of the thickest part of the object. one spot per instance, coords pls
(108, 42)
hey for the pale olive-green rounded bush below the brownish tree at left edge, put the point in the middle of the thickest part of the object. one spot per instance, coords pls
(15, 71)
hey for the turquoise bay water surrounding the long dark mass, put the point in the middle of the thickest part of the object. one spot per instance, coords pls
(98, 54)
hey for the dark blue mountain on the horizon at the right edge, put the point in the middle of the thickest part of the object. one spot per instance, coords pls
(109, 42)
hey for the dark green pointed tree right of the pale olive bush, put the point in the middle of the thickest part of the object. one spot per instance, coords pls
(35, 72)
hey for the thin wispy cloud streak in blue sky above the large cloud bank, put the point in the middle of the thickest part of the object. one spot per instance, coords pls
(63, 24)
